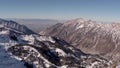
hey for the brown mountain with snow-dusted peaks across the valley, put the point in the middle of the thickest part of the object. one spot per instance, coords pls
(89, 36)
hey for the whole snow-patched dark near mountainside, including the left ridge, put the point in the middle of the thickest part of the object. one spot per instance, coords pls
(28, 50)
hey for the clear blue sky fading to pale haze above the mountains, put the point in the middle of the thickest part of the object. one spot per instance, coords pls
(100, 10)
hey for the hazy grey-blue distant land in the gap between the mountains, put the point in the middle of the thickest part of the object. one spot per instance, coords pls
(37, 25)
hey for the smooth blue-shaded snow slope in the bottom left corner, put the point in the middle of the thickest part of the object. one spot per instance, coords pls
(7, 61)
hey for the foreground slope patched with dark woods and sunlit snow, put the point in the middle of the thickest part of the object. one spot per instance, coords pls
(51, 52)
